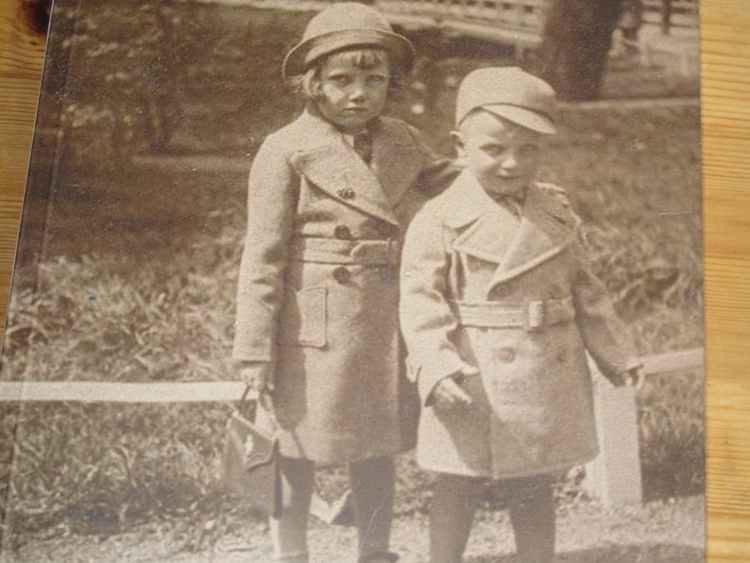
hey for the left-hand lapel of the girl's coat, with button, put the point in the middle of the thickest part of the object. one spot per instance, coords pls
(330, 163)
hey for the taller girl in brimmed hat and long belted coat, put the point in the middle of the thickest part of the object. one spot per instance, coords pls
(317, 315)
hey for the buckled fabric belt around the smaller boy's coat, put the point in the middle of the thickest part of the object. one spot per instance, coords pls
(498, 314)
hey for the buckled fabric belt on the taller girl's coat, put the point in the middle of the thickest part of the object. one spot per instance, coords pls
(335, 251)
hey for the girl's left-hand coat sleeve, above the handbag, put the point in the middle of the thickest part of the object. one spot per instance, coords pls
(271, 202)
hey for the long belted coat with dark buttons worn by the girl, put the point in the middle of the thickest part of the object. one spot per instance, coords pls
(318, 284)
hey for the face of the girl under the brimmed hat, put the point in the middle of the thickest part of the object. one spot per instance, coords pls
(350, 96)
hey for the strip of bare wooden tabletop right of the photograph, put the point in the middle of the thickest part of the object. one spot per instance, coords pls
(725, 67)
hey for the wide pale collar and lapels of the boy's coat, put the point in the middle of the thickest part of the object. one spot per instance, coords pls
(493, 233)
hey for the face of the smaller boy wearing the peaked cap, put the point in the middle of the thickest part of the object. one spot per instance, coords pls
(504, 157)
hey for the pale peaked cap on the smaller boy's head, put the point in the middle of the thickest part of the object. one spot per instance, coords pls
(510, 93)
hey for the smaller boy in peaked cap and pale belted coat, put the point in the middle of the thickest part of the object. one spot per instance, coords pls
(498, 308)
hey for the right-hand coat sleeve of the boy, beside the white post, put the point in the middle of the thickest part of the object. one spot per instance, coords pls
(603, 334)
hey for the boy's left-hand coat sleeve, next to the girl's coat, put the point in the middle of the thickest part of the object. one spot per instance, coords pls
(426, 318)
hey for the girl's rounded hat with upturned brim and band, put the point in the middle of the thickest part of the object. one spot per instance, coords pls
(346, 25)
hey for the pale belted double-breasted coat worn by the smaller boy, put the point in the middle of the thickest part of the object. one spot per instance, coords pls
(510, 303)
